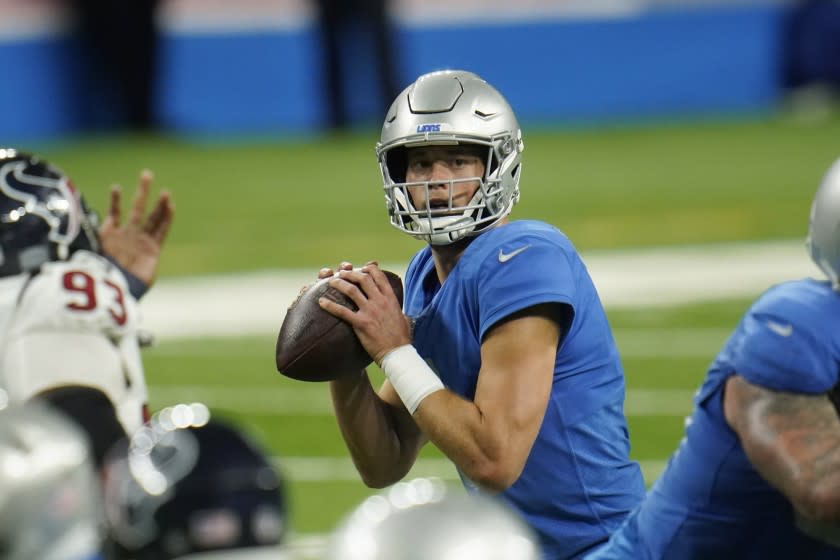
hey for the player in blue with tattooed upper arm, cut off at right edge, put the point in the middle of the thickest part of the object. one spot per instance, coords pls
(758, 472)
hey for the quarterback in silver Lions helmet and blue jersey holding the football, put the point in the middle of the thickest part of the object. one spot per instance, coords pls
(502, 356)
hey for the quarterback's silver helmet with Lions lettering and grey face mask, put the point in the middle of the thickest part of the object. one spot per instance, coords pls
(451, 107)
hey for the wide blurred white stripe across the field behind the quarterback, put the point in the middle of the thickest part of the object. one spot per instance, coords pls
(254, 304)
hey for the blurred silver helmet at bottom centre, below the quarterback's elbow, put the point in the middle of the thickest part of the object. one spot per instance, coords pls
(421, 520)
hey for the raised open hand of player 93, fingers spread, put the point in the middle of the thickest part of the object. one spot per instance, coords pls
(136, 245)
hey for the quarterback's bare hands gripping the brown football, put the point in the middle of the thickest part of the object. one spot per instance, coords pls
(379, 322)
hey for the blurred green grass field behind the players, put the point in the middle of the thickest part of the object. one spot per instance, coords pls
(307, 203)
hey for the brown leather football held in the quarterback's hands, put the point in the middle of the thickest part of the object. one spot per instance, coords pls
(314, 345)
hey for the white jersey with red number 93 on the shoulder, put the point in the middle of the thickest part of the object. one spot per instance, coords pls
(73, 323)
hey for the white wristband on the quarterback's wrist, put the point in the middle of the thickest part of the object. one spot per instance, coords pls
(412, 378)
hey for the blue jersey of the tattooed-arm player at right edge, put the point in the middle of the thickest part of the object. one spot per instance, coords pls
(710, 502)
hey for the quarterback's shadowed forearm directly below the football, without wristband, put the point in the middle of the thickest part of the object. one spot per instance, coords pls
(373, 432)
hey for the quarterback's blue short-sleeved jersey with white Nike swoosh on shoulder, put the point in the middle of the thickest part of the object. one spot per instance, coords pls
(578, 483)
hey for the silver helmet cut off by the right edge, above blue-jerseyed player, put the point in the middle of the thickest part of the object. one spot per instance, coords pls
(824, 227)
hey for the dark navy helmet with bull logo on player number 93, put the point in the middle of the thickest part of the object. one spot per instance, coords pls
(42, 216)
